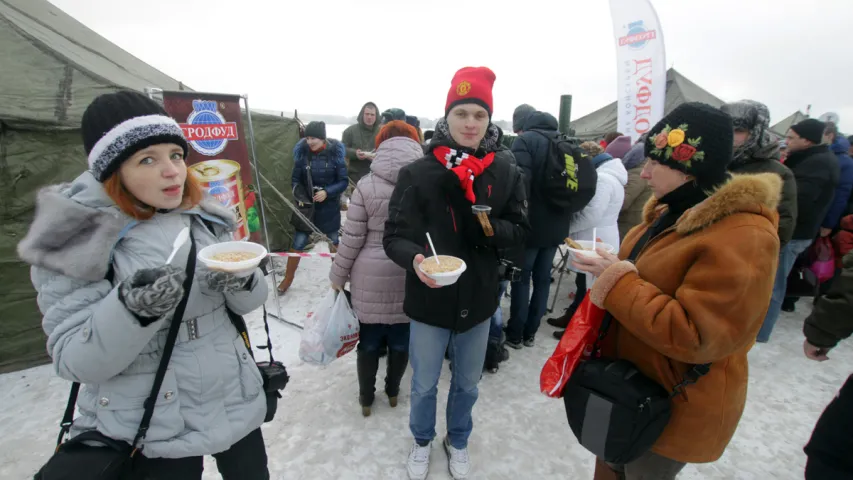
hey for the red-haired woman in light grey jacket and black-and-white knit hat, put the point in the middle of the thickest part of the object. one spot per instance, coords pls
(122, 217)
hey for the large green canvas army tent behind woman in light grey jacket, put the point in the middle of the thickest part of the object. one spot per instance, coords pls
(52, 68)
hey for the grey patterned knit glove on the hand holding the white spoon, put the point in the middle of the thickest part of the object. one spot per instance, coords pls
(153, 292)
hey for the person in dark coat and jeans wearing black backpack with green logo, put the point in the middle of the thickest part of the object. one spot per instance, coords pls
(549, 228)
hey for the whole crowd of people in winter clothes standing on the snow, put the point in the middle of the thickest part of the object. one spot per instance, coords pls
(706, 214)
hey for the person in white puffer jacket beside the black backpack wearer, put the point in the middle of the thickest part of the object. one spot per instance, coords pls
(600, 215)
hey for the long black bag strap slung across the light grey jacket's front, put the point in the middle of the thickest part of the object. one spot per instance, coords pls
(177, 319)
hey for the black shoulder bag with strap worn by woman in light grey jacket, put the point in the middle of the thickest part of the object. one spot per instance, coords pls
(77, 458)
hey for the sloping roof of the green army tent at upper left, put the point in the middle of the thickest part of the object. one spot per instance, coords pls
(53, 66)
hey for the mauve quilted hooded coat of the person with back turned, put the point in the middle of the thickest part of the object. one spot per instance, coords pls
(377, 283)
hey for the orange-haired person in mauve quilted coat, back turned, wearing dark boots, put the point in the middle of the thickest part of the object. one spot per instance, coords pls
(377, 283)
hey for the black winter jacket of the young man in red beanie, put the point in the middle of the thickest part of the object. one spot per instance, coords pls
(428, 198)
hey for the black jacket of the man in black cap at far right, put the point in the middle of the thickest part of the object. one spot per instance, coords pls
(817, 173)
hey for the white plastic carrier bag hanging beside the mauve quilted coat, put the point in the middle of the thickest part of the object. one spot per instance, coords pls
(331, 330)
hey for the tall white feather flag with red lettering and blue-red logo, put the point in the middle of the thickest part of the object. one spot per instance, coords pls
(641, 66)
